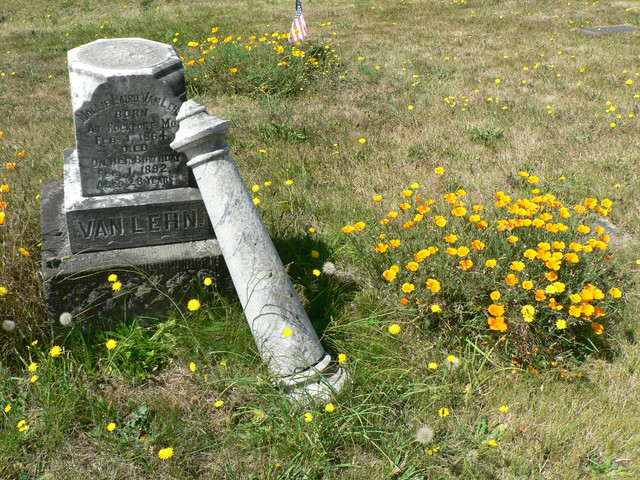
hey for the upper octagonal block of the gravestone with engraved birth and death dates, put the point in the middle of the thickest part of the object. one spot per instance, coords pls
(126, 93)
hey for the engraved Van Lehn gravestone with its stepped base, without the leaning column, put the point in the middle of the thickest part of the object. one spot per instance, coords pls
(127, 203)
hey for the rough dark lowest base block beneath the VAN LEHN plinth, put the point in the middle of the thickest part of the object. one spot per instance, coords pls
(154, 278)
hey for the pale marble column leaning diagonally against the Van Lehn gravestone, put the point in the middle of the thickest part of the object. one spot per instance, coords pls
(281, 328)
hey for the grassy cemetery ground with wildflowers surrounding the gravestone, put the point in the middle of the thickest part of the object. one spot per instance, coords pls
(396, 115)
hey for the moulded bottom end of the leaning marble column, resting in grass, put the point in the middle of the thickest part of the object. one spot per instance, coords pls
(318, 383)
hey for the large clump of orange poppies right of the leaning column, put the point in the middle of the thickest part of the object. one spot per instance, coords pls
(504, 256)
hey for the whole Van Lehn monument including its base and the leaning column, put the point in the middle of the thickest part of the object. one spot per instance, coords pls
(128, 203)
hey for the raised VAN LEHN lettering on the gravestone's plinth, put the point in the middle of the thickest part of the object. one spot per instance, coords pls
(121, 226)
